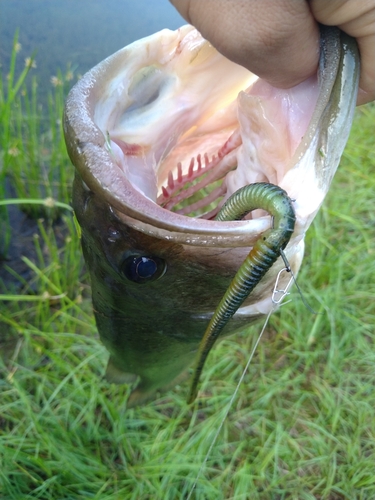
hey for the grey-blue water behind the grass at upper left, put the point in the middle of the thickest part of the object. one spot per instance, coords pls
(79, 33)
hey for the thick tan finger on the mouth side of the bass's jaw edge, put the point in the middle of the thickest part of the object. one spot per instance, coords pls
(276, 39)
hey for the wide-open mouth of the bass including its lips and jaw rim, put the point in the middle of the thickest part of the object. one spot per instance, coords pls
(168, 127)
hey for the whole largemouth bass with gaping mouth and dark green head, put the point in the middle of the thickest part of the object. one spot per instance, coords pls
(161, 133)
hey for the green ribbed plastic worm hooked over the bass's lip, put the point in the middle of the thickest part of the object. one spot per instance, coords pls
(263, 255)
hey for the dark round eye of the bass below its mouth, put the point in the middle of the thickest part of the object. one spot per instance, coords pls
(143, 269)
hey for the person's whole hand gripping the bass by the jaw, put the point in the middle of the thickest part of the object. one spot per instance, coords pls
(279, 40)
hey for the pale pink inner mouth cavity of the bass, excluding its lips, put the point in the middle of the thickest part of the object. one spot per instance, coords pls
(188, 127)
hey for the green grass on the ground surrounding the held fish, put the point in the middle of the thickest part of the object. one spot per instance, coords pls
(302, 426)
